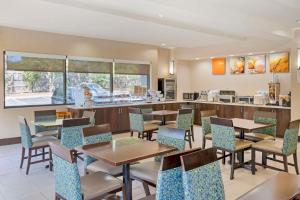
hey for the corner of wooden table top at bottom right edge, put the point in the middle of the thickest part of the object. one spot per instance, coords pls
(282, 186)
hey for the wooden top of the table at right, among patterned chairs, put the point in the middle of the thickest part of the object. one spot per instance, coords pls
(248, 125)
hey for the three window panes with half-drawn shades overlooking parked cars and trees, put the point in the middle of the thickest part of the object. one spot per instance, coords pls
(38, 79)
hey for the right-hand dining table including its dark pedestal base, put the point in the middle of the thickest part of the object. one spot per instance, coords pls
(244, 126)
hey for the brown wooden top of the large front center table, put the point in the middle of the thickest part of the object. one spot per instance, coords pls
(125, 150)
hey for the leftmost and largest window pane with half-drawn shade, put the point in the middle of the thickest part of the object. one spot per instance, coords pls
(32, 79)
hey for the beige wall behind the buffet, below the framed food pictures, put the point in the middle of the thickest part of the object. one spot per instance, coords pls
(244, 84)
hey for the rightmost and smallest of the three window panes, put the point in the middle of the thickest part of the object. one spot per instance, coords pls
(131, 79)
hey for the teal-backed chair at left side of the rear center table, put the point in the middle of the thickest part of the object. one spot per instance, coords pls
(136, 119)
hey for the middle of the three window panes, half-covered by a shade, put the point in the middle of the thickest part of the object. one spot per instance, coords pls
(94, 74)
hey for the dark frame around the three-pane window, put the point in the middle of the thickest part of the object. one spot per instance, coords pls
(65, 72)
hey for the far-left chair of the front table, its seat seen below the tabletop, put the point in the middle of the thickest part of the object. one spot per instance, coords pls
(93, 135)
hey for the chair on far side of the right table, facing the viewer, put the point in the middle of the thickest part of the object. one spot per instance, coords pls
(268, 133)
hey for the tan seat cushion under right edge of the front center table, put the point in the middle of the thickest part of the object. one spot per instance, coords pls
(147, 171)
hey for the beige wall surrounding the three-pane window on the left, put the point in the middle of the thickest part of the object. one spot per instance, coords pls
(41, 42)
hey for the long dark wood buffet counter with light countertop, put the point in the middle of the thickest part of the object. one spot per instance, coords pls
(118, 118)
